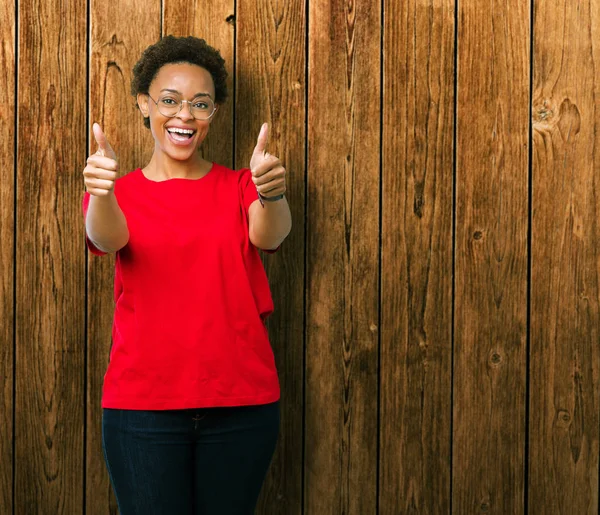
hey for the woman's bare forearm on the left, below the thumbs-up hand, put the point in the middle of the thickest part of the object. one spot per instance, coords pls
(105, 223)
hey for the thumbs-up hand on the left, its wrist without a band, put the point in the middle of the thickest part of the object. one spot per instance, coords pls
(101, 170)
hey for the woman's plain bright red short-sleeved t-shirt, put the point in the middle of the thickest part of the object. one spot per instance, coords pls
(191, 297)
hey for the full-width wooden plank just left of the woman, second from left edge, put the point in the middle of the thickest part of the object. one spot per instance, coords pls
(50, 263)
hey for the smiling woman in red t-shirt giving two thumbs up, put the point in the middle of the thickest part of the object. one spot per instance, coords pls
(191, 395)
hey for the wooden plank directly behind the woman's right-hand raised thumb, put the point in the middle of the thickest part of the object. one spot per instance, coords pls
(270, 86)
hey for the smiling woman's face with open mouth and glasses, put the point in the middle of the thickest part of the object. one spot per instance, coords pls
(173, 83)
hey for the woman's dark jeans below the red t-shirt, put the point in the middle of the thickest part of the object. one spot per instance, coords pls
(209, 461)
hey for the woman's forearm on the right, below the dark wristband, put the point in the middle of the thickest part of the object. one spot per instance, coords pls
(271, 224)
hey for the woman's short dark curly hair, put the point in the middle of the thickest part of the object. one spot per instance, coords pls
(171, 49)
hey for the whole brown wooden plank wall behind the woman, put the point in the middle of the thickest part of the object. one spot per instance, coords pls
(437, 302)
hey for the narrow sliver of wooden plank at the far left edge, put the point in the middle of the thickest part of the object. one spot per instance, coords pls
(7, 221)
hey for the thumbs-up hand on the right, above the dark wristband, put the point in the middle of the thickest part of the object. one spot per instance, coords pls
(268, 174)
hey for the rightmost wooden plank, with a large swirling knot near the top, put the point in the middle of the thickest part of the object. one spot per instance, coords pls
(564, 430)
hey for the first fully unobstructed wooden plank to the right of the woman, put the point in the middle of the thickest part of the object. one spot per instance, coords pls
(343, 257)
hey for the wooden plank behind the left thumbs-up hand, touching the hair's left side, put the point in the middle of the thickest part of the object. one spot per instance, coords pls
(116, 45)
